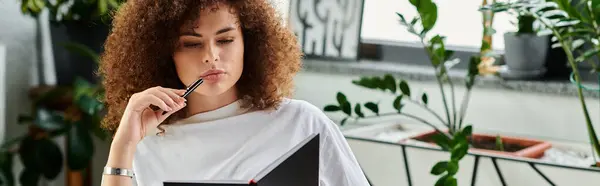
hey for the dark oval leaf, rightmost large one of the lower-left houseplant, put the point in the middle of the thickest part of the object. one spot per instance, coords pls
(80, 147)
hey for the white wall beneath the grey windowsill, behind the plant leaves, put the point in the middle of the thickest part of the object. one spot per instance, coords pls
(506, 112)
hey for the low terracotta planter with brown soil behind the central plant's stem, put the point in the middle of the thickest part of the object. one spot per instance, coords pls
(513, 146)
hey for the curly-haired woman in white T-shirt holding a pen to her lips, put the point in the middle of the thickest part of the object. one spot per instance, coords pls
(235, 123)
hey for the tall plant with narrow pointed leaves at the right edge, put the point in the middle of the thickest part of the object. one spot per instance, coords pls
(572, 27)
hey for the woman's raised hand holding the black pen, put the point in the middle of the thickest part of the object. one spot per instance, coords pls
(138, 117)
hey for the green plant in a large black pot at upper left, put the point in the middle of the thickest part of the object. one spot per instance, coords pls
(83, 22)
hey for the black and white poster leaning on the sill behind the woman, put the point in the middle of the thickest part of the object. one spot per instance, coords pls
(327, 28)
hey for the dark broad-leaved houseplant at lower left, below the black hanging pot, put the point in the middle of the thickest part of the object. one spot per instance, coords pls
(72, 111)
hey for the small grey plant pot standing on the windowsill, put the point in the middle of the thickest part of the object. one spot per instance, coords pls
(525, 55)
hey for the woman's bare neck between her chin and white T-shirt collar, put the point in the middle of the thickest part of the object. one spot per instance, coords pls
(197, 103)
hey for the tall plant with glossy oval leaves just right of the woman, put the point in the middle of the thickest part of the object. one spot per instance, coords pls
(455, 138)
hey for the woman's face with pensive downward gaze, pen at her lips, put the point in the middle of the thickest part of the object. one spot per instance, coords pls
(212, 48)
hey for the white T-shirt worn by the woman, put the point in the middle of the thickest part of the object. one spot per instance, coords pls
(230, 143)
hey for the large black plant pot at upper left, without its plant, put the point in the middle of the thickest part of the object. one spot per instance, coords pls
(69, 64)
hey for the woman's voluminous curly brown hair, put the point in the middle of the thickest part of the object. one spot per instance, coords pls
(138, 53)
